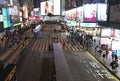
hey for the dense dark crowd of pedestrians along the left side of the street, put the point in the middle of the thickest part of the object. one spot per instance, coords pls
(12, 37)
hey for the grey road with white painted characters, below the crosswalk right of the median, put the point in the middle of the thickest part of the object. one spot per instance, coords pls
(84, 67)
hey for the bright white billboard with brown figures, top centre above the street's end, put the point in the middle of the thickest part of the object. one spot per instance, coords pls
(51, 6)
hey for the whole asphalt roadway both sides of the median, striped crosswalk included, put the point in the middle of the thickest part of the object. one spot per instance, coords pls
(37, 63)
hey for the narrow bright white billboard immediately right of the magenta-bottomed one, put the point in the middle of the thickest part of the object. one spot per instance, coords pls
(102, 16)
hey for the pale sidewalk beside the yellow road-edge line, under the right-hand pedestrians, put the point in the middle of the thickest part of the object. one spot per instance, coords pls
(106, 62)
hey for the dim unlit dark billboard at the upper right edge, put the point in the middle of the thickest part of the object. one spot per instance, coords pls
(114, 13)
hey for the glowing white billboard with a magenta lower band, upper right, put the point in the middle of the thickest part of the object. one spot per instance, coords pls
(90, 12)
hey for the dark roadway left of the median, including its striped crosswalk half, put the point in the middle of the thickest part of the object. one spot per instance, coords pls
(36, 62)
